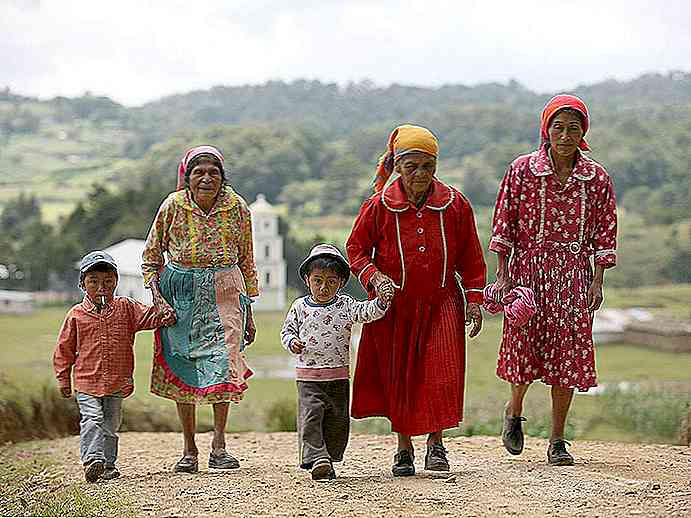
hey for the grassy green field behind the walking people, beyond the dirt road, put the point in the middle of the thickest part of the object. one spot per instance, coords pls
(28, 341)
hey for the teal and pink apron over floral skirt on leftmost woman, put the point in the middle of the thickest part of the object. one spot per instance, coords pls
(200, 358)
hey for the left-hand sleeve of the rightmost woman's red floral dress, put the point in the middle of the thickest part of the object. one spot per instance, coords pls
(505, 218)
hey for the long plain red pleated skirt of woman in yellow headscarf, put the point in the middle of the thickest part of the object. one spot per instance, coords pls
(411, 364)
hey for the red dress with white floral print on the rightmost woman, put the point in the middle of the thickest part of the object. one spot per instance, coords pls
(551, 232)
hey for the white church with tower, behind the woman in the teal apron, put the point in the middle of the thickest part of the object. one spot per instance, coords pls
(268, 255)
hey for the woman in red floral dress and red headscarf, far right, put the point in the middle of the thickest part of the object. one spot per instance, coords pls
(555, 211)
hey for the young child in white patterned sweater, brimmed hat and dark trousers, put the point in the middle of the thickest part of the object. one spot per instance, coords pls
(317, 330)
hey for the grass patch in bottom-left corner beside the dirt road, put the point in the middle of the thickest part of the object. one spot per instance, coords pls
(32, 485)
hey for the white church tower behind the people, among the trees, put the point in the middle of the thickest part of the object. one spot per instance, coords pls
(268, 254)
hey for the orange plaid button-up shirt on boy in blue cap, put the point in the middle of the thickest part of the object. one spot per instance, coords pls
(99, 346)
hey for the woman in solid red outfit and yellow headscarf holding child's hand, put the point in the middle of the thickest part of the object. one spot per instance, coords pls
(416, 234)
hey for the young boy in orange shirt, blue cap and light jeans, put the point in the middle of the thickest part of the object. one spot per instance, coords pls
(96, 341)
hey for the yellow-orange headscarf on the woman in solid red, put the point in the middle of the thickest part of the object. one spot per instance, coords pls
(403, 140)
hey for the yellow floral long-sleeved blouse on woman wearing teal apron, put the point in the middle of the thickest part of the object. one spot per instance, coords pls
(193, 239)
